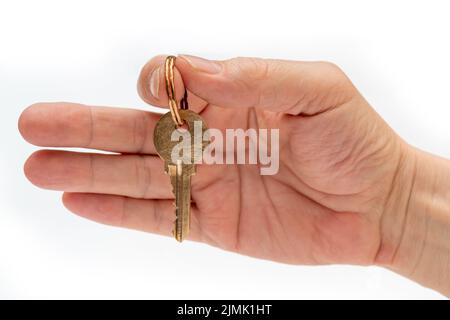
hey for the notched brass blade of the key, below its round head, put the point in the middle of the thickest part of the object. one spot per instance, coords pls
(180, 177)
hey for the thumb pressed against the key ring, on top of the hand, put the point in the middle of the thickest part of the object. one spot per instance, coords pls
(277, 85)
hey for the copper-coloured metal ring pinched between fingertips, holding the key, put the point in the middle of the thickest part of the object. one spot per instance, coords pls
(170, 88)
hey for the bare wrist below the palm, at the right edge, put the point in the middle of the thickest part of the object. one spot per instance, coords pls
(415, 228)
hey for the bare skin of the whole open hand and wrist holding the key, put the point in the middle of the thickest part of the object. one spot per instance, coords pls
(348, 190)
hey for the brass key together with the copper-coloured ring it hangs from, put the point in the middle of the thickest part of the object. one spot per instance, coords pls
(179, 170)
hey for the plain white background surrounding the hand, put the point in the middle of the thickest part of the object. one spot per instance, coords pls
(396, 52)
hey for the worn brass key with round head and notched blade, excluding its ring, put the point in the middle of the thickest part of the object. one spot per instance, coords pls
(180, 173)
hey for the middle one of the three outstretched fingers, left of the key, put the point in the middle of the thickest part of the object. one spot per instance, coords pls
(137, 176)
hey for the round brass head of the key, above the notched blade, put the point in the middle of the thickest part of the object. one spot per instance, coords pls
(163, 132)
